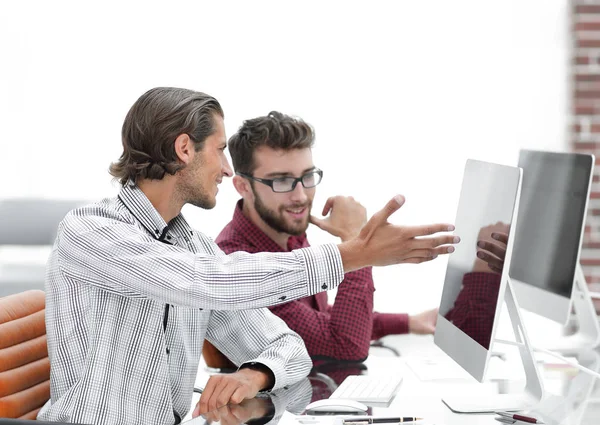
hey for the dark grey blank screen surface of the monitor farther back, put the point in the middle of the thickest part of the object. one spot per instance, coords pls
(551, 214)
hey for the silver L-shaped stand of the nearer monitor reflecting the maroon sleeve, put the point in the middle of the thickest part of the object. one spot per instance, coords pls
(533, 392)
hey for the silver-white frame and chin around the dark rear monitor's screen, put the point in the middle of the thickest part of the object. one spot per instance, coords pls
(537, 300)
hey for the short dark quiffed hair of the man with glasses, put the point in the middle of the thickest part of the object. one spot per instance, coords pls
(276, 131)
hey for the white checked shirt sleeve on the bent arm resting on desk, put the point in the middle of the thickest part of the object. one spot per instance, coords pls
(259, 336)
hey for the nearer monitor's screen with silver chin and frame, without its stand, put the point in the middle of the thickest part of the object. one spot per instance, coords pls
(474, 287)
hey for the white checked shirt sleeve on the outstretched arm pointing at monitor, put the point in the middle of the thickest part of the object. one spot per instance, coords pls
(119, 257)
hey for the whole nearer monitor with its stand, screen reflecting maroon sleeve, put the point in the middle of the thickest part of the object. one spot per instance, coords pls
(473, 294)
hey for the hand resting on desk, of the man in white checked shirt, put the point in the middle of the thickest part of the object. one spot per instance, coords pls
(231, 389)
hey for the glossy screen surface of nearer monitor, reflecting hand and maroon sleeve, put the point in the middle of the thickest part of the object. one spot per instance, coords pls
(474, 271)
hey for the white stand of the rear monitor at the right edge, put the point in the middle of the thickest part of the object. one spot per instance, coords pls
(588, 332)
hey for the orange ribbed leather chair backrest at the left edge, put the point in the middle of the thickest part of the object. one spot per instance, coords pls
(24, 363)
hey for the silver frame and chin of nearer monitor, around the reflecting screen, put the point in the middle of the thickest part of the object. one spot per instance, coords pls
(464, 350)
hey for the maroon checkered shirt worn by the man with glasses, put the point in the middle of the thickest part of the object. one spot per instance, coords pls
(342, 331)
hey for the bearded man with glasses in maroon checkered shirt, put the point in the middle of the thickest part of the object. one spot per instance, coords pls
(277, 179)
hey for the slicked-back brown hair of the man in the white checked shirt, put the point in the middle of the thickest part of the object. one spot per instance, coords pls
(152, 125)
